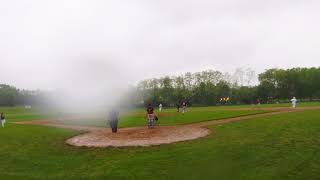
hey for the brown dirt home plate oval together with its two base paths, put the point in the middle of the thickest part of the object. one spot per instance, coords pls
(142, 136)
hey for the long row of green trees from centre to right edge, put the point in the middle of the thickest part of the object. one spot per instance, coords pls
(215, 88)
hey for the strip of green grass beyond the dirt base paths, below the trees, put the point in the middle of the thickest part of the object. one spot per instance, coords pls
(136, 118)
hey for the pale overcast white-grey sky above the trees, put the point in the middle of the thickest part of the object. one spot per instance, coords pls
(75, 43)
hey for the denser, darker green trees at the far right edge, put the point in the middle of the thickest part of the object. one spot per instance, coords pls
(286, 83)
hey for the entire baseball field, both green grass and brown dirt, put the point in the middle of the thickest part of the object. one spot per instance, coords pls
(227, 142)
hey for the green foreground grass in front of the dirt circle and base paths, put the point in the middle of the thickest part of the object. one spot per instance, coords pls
(283, 146)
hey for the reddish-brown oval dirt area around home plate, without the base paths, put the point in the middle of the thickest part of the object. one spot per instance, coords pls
(138, 136)
